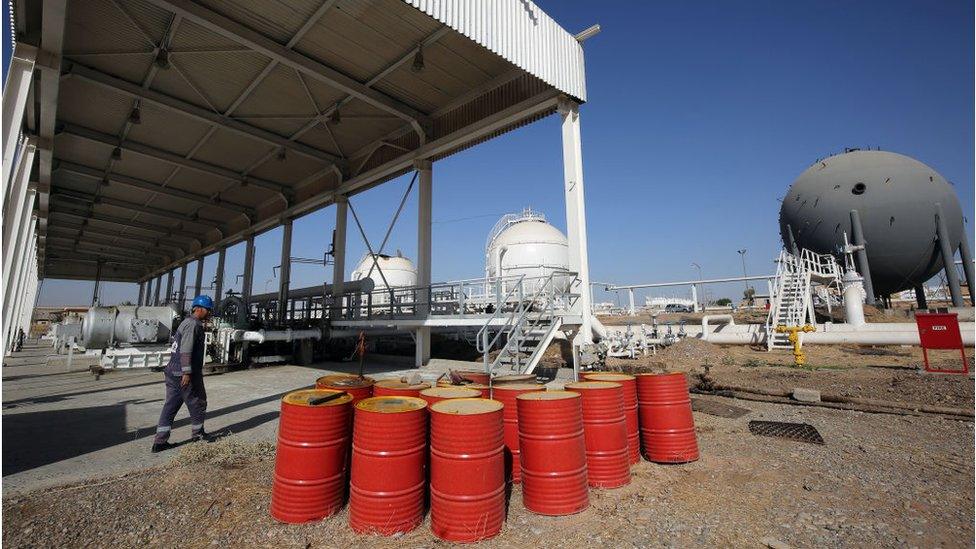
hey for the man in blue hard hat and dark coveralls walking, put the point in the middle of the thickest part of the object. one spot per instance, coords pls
(184, 375)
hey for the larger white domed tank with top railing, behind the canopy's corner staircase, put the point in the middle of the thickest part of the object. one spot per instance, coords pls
(526, 244)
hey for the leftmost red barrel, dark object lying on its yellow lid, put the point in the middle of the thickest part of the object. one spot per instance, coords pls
(310, 464)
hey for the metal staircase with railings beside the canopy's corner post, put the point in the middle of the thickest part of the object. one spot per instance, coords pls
(529, 327)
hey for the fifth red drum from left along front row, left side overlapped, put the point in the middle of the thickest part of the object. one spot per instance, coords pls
(605, 428)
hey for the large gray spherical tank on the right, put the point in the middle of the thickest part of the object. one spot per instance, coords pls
(895, 197)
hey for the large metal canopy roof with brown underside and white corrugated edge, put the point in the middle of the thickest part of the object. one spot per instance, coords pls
(175, 127)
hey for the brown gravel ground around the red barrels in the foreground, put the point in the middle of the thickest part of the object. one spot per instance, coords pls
(878, 481)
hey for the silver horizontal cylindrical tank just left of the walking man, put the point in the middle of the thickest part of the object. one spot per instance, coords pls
(102, 327)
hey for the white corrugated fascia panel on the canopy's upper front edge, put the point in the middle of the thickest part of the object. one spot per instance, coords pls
(520, 32)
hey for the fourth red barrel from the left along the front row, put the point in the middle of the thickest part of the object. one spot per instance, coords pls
(553, 452)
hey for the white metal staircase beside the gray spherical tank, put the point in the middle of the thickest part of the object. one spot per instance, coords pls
(792, 304)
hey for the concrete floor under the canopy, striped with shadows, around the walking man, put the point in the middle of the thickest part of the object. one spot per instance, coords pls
(62, 425)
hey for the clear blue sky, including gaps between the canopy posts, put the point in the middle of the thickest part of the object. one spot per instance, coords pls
(699, 116)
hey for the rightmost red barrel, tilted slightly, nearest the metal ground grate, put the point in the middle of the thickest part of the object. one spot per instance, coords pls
(666, 423)
